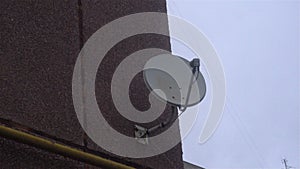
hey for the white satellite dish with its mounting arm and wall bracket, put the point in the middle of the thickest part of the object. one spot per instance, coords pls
(174, 80)
